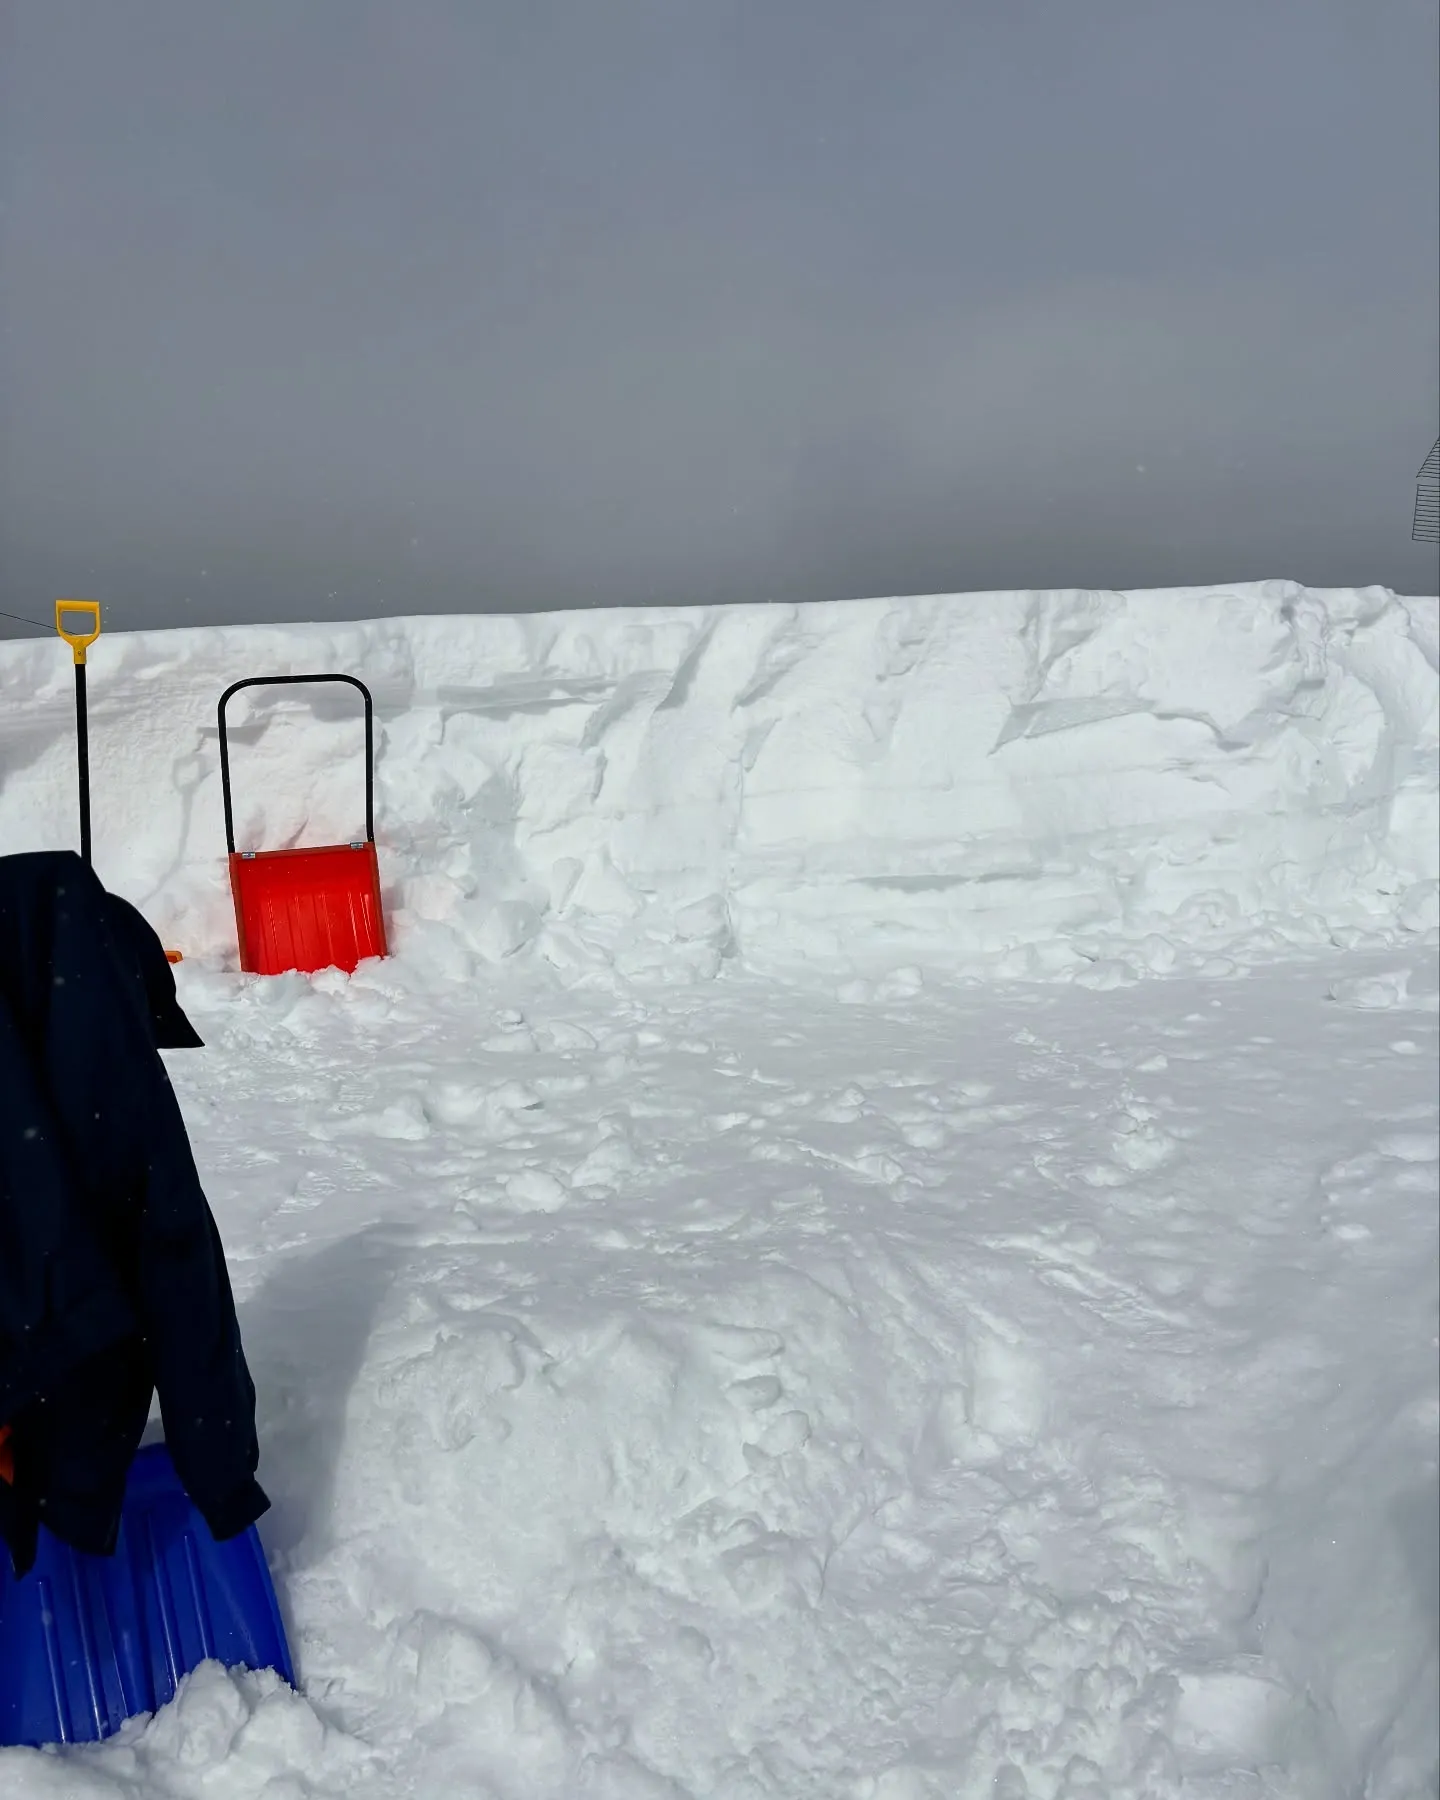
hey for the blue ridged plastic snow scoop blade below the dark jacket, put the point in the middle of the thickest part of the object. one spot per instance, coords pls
(87, 1642)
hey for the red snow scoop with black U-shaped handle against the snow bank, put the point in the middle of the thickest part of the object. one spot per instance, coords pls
(314, 908)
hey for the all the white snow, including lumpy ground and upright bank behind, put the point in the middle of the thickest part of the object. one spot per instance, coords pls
(877, 1236)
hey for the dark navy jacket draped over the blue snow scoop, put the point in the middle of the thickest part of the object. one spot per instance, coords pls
(112, 1275)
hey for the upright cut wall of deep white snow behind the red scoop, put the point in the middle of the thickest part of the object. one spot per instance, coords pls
(1084, 782)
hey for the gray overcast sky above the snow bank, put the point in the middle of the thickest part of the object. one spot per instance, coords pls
(330, 309)
